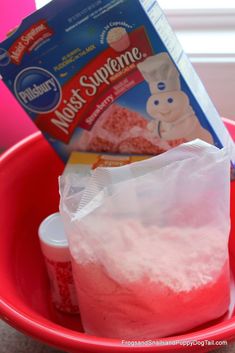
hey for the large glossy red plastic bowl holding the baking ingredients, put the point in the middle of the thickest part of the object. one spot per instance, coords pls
(29, 192)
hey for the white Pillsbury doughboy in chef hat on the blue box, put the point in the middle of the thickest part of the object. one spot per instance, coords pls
(170, 108)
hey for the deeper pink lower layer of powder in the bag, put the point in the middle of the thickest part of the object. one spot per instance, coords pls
(149, 310)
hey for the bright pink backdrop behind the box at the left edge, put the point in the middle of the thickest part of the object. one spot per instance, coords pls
(14, 122)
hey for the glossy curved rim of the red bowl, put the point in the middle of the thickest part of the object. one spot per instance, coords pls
(69, 339)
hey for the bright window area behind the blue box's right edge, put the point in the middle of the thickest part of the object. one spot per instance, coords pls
(206, 30)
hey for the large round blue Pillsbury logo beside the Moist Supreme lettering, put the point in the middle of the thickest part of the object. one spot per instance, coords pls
(37, 90)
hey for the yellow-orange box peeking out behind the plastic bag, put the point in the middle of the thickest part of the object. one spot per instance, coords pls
(84, 162)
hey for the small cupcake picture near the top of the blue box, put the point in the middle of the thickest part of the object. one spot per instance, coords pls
(118, 39)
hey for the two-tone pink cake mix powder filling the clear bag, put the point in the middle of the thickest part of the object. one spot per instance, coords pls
(148, 282)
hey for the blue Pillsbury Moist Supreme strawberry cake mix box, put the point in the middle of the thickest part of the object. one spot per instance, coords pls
(108, 76)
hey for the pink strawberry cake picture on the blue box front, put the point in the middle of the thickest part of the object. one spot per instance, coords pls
(120, 130)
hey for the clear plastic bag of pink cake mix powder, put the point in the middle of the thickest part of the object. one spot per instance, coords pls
(149, 243)
